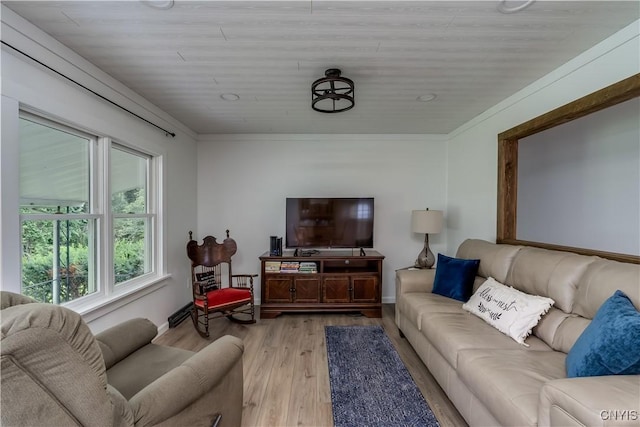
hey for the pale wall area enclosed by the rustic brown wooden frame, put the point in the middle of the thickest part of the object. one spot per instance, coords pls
(575, 178)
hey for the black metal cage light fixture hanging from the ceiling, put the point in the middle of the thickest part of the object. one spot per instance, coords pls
(332, 93)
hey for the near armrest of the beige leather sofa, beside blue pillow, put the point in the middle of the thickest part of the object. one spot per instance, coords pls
(594, 401)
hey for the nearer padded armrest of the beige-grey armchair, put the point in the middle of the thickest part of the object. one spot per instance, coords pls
(178, 389)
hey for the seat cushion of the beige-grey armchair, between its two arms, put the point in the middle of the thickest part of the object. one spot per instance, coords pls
(144, 366)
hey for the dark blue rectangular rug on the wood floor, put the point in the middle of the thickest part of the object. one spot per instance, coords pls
(370, 386)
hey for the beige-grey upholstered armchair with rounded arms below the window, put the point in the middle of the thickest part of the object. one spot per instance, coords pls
(56, 372)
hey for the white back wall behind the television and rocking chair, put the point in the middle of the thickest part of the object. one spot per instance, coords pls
(243, 181)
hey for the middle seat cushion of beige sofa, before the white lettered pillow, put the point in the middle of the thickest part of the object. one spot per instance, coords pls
(456, 330)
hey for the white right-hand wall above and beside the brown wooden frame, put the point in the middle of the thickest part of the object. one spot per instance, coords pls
(473, 148)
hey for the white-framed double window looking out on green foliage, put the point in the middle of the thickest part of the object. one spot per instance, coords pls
(86, 235)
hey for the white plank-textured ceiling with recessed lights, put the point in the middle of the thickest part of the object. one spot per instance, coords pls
(268, 53)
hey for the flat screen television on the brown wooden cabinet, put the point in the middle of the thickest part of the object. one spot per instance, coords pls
(330, 222)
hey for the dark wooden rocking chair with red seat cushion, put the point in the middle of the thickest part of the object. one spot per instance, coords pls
(217, 292)
